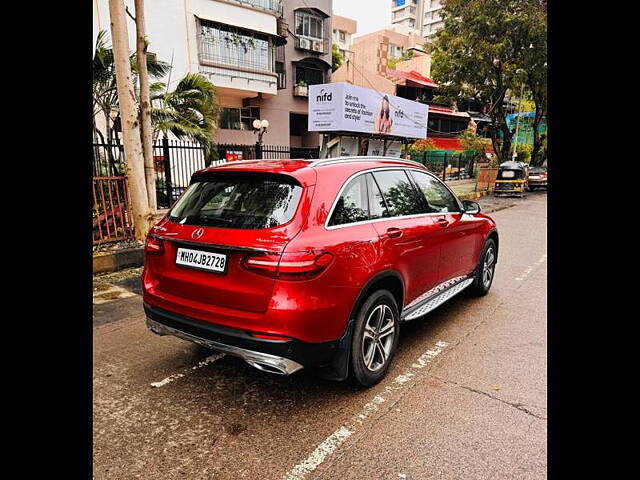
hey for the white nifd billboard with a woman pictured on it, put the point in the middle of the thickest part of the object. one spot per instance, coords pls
(348, 108)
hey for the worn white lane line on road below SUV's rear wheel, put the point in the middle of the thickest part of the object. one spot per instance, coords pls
(333, 441)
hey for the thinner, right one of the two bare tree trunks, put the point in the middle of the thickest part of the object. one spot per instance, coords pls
(145, 107)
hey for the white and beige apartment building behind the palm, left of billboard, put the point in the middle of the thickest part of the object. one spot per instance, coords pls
(254, 51)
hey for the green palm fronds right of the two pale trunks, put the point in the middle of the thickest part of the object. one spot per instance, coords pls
(189, 111)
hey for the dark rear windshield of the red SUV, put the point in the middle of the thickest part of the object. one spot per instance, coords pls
(238, 201)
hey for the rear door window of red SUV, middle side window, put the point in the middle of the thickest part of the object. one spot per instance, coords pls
(400, 195)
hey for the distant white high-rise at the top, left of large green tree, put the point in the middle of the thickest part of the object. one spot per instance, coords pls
(421, 17)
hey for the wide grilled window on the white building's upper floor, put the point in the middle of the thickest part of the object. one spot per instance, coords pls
(227, 45)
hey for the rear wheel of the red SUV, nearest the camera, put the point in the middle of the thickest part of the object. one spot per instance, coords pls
(375, 338)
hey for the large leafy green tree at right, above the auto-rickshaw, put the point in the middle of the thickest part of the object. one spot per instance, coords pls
(483, 53)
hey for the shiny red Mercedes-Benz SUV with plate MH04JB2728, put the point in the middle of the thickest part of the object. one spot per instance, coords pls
(298, 263)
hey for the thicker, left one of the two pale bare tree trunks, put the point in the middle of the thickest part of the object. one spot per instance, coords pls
(141, 214)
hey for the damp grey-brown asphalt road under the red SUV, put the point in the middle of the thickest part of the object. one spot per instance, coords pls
(464, 399)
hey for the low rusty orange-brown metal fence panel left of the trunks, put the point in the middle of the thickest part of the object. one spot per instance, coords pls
(111, 213)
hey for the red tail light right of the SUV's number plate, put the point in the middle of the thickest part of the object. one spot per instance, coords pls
(289, 266)
